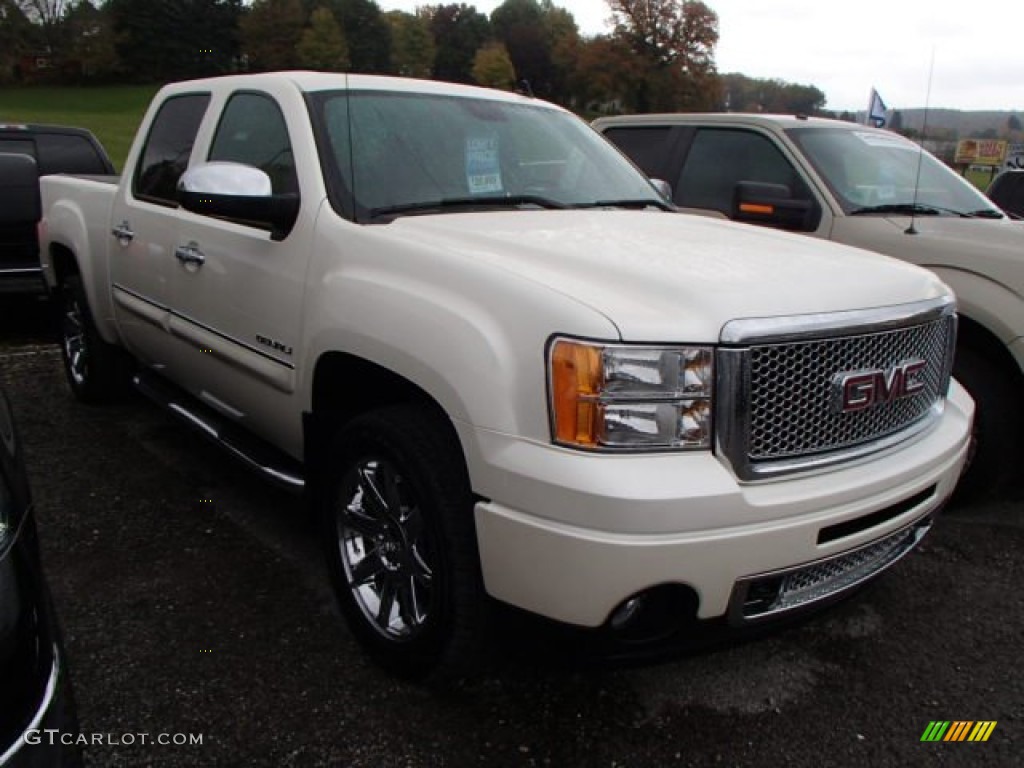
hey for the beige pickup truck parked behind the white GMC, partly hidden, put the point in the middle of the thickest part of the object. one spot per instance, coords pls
(871, 189)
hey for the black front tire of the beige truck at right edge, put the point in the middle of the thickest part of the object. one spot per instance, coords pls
(999, 425)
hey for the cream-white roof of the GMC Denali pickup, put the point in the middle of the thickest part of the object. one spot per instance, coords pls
(323, 81)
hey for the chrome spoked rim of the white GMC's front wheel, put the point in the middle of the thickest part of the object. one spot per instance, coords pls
(385, 550)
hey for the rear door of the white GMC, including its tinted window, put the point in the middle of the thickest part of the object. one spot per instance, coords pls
(143, 233)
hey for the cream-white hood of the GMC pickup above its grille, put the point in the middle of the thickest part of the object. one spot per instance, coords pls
(661, 277)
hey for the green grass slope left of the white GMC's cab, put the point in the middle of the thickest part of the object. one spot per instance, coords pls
(112, 113)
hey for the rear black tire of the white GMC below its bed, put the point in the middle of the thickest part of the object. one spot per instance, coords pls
(97, 372)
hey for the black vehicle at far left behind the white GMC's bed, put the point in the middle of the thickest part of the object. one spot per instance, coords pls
(28, 152)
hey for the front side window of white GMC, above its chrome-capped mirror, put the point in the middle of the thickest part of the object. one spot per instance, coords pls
(252, 131)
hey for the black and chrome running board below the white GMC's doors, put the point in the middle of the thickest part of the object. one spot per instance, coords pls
(277, 467)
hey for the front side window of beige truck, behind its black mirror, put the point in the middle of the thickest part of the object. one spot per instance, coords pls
(721, 158)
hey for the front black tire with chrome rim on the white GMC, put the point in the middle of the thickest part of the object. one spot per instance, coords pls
(397, 524)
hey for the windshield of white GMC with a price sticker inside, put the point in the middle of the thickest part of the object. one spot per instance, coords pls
(390, 154)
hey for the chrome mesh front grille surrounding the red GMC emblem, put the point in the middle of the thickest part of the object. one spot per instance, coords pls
(777, 400)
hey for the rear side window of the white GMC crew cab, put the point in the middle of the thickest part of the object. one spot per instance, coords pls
(168, 148)
